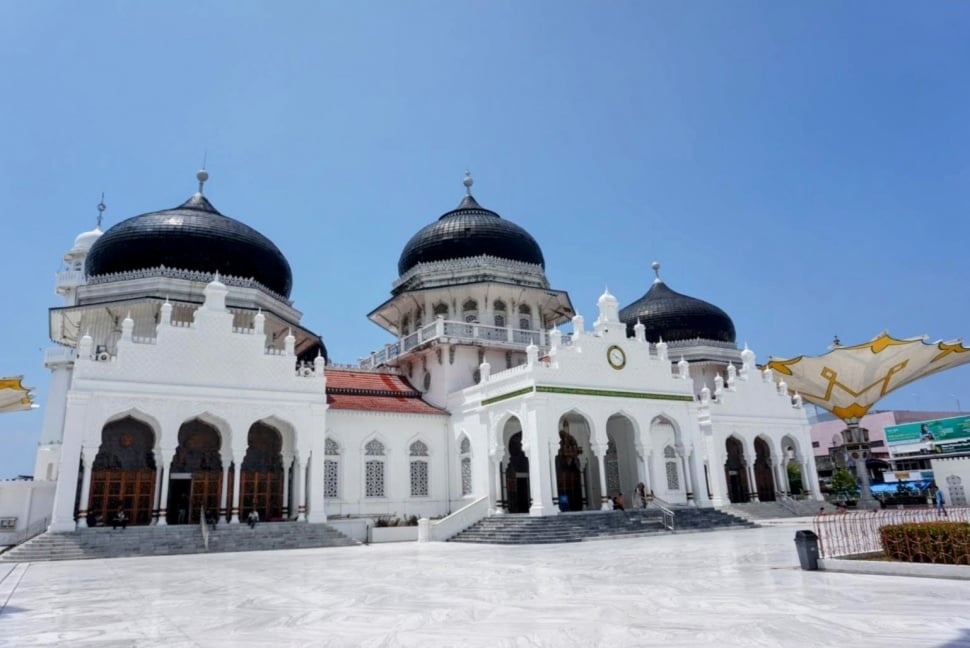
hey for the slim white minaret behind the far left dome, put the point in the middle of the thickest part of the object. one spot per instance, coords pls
(60, 359)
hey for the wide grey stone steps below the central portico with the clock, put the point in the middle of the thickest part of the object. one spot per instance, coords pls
(591, 525)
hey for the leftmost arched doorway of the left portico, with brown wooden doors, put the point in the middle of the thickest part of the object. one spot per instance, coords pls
(123, 472)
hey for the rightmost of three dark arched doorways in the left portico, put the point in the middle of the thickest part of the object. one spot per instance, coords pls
(261, 488)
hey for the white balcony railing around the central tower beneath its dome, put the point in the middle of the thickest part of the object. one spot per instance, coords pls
(459, 333)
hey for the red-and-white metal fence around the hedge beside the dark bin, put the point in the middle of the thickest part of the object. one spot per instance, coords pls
(857, 532)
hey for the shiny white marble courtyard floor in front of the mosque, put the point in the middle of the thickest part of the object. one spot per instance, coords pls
(727, 588)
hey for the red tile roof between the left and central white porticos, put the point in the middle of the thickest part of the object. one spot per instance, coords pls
(374, 392)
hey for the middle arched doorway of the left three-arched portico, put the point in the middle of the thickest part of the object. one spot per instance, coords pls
(195, 481)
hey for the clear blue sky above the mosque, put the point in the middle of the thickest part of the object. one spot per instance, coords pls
(804, 166)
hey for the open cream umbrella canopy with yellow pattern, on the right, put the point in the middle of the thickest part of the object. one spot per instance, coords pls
(849, 380)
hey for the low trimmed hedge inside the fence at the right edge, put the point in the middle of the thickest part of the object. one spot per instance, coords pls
(946, 543)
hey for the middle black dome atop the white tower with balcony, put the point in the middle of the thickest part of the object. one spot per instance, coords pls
(470, 231)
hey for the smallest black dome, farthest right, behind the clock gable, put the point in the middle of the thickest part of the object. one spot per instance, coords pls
(671, 316)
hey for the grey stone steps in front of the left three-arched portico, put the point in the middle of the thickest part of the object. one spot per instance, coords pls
(104, 542)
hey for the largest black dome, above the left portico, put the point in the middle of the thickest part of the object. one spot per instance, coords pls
(192, 236)
